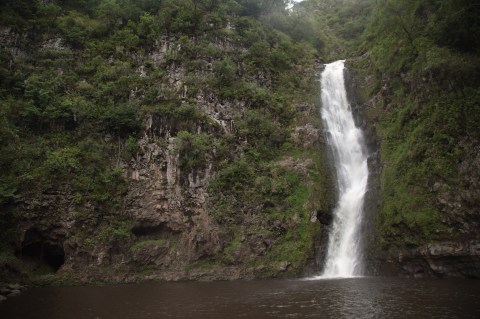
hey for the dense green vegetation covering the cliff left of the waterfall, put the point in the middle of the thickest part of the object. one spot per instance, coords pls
(78, 79)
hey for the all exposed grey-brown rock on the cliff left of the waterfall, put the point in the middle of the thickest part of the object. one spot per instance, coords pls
(164, 228)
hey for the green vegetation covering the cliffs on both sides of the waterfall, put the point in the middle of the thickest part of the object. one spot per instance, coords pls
(78, 79)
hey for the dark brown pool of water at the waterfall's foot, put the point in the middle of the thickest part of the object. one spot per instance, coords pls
(333, 298)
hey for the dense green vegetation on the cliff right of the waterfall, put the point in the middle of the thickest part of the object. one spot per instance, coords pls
(424, 56)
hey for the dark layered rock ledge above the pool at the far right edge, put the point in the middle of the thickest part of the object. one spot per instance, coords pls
(459, 205)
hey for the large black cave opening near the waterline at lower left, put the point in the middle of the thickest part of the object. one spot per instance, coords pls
(42, 251)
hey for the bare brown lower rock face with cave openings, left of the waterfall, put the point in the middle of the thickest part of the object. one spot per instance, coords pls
(166, 230)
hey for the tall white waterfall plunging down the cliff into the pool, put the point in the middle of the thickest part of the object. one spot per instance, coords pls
(350, 157)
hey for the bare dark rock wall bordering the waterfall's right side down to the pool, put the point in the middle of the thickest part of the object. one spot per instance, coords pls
(454, 255)
